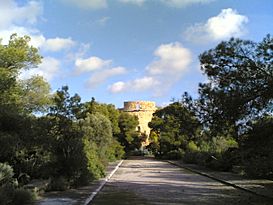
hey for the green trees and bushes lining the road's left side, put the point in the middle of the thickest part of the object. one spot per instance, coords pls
(52, 136)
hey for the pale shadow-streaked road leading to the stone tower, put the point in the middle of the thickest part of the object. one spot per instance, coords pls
(147, 181)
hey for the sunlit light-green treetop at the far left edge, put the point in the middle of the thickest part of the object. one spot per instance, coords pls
(15, 57)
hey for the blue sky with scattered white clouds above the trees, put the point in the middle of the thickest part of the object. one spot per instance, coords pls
(120, 50)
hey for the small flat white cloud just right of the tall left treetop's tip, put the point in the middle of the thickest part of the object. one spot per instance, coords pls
(57, 44)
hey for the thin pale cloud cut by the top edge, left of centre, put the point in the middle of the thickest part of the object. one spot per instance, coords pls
(88, 4)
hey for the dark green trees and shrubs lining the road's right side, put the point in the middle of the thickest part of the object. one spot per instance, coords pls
(230, 124)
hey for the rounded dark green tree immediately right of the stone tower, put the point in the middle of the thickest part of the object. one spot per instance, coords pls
(175, 126)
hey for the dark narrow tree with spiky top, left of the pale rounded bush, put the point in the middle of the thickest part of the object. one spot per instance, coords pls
(65, 136)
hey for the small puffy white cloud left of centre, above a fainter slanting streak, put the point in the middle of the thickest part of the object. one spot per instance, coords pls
(90, 64)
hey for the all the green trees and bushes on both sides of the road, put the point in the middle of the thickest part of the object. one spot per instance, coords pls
(57, 137)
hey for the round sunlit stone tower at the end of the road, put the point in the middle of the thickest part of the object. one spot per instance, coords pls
(144, 111)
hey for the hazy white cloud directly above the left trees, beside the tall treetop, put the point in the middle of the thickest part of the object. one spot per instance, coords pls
(49, 68)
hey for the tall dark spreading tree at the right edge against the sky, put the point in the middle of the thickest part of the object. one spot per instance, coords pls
(240, 74)
